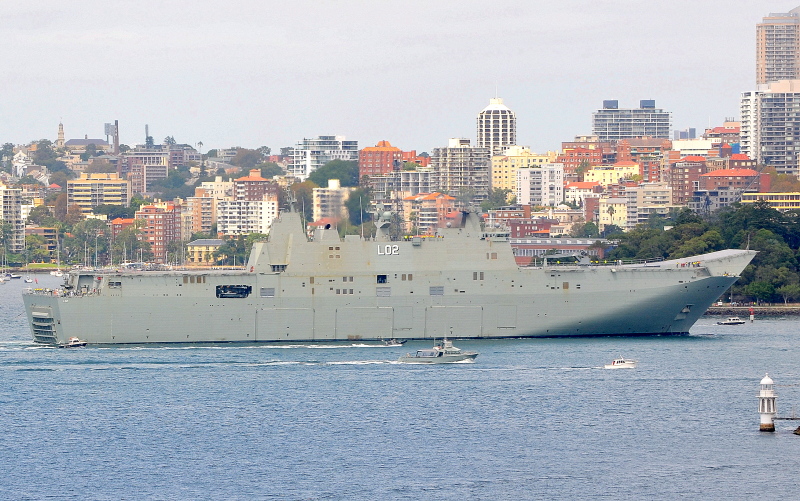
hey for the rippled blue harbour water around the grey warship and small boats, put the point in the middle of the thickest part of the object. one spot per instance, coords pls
(530, 419)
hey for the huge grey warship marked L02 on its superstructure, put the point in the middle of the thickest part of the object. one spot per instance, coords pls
(463, 281)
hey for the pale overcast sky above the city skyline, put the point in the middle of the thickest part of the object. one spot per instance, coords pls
(415, 72)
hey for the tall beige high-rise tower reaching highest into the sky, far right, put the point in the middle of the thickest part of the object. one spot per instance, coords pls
(778, 47)
